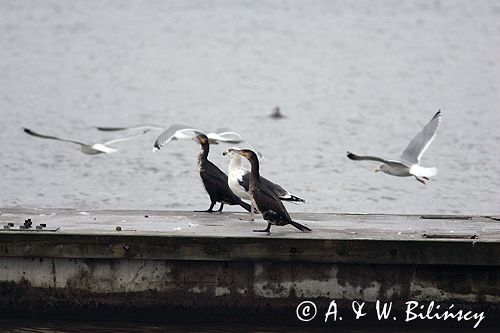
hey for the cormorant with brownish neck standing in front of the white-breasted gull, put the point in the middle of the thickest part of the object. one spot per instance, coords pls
(265, 200)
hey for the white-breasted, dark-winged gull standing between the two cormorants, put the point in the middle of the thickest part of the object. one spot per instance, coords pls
(239, 180)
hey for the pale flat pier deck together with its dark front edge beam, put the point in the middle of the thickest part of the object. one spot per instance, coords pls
(345, 238)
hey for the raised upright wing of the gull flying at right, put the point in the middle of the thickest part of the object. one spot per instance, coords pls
(419, 144)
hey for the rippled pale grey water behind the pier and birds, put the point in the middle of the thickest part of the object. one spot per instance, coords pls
(349, 75)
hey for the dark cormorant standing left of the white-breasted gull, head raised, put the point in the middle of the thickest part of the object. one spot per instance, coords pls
(214, 180)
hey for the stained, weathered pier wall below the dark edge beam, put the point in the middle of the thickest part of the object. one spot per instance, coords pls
(213, 290)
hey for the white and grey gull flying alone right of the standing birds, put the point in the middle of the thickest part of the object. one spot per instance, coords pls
(409, 162)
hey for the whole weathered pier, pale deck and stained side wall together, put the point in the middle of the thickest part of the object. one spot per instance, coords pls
(161, 265)
